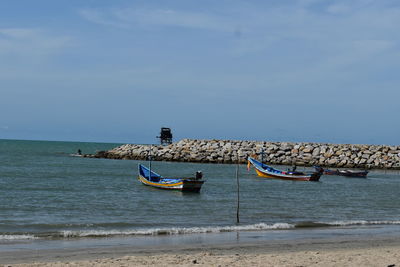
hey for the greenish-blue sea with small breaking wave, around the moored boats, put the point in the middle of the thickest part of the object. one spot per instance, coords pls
(49, 197)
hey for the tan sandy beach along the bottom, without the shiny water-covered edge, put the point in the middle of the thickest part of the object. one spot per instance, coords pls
(328, 252)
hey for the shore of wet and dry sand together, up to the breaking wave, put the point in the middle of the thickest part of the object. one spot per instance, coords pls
(346, 247)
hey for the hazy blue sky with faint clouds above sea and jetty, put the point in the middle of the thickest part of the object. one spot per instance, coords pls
(274, 70)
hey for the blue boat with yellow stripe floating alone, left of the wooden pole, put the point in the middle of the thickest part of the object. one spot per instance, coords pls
(192, 184)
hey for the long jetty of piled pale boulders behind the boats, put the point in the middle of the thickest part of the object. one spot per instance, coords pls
(278, 153)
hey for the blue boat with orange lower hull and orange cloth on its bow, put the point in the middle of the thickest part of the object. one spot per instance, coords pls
(266, 171)
